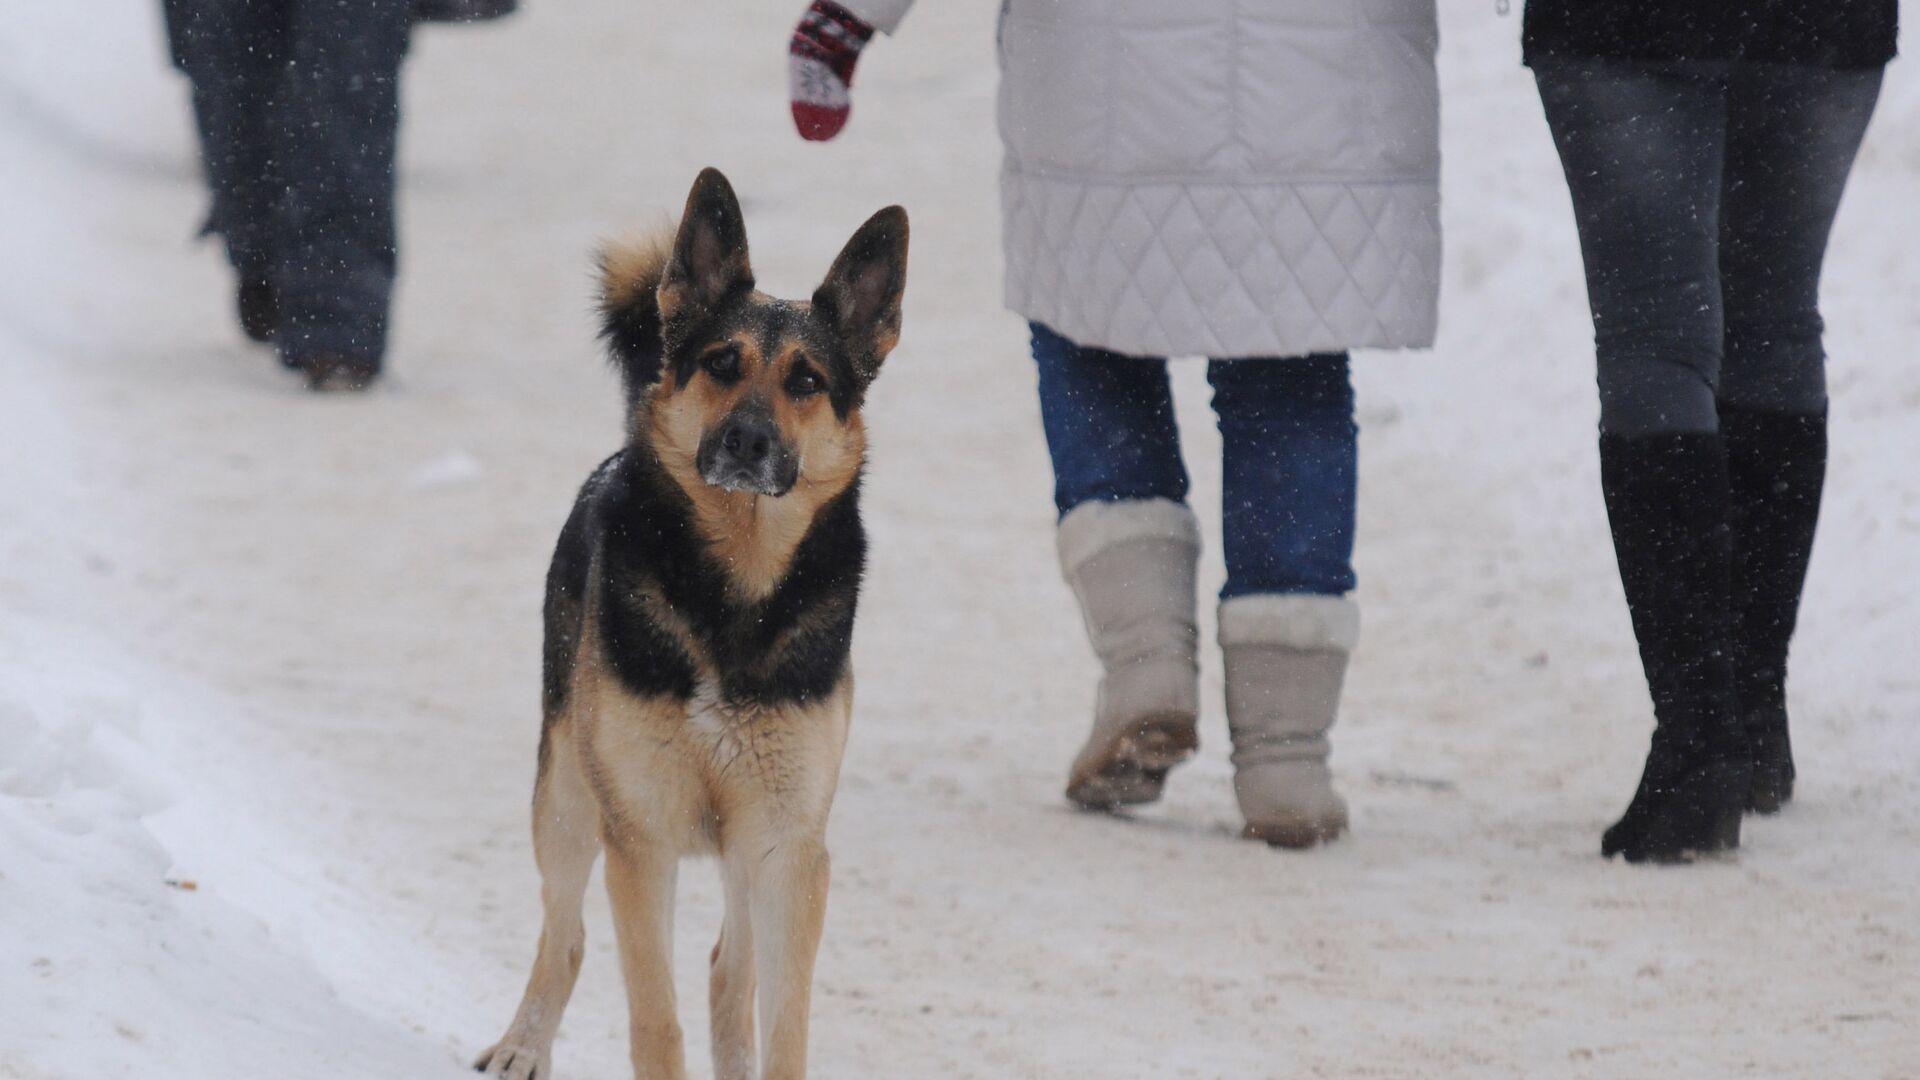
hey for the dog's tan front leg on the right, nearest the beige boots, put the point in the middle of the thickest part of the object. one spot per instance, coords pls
(790, 906)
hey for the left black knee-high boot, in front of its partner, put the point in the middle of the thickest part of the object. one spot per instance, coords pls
(1668, 504)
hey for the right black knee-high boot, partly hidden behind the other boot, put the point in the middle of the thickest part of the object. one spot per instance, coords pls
(1777, 468)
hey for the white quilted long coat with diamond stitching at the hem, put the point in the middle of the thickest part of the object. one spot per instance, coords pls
(1220, 178)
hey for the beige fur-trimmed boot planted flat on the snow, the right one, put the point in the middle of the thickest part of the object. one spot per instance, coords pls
(1285, 666)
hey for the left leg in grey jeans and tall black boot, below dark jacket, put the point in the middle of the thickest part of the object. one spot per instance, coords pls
(1643, 151)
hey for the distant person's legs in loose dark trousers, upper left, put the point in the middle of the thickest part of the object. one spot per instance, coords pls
(299, 110)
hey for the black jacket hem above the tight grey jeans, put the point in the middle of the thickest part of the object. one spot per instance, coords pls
(1817, 34)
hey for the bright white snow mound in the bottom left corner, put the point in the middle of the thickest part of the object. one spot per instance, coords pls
(124, 954)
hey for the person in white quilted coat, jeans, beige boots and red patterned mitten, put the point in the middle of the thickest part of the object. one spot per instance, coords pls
(1247, 182)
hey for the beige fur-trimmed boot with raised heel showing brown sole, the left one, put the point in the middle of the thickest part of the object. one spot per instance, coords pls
(1132, 566)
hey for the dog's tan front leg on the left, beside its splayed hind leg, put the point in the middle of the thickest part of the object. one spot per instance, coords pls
(640, 879)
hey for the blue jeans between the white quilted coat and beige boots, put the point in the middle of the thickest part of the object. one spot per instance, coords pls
(1289, 458)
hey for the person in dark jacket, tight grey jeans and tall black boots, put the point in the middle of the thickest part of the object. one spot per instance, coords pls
(1706, 149)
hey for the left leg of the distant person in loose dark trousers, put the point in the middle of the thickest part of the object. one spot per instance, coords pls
(233, 51)
